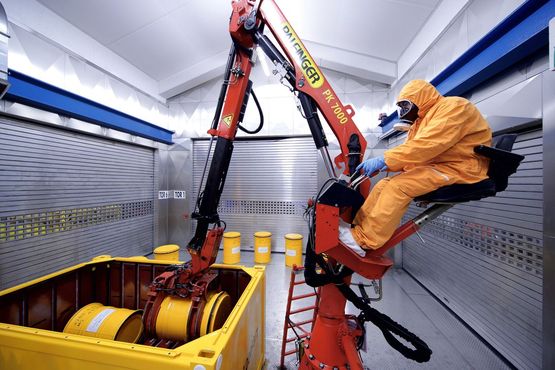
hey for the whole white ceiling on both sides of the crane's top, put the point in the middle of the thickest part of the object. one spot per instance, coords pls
(172, 39)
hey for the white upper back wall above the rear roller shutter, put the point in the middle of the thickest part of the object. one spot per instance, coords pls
(196, 107)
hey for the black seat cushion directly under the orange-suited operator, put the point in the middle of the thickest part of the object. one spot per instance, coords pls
(460, 192)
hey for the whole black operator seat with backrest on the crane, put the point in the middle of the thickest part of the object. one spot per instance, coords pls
(502, 164)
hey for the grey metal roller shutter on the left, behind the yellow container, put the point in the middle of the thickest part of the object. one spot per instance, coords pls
(67, 197)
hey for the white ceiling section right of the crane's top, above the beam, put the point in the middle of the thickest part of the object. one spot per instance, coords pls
(377, 28)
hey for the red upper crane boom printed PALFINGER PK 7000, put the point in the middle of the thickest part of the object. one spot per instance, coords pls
(306, 78)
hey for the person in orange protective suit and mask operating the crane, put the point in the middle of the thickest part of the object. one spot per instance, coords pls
(439, 151)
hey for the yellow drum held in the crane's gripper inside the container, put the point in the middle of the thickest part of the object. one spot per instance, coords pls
(175, 317)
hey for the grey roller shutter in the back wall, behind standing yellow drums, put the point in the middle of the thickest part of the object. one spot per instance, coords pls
(268, 184)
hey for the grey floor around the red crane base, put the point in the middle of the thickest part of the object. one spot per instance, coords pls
(453, 345)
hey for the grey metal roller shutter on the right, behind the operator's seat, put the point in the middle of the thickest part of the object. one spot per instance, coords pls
(484, 260)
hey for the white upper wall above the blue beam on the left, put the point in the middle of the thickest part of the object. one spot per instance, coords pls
(45, 46)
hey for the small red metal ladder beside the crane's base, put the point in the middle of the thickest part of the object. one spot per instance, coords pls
(299, 331)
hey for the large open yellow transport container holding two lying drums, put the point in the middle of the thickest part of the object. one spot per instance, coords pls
(33, 316)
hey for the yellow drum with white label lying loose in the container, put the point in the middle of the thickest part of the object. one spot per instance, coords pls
(106, 322)
